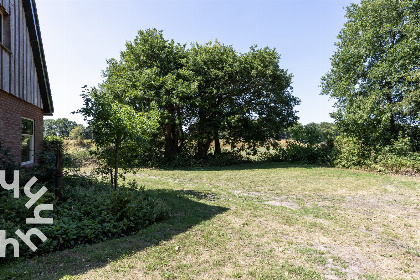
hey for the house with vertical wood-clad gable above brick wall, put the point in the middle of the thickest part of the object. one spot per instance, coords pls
(25, 95)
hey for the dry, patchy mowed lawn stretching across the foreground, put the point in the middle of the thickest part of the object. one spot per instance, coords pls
(258, 221)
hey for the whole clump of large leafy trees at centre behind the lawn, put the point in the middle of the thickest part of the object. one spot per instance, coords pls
(203, 93)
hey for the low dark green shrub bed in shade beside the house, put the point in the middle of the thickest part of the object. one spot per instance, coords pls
(91, 212)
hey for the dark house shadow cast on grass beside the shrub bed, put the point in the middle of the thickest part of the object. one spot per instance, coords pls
(185, 213)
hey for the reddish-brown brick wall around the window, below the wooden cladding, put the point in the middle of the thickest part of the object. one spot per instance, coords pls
(12, 109)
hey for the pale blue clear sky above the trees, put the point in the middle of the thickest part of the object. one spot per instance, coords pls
(80, 35)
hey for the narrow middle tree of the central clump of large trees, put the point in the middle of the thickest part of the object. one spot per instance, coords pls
(215, 70)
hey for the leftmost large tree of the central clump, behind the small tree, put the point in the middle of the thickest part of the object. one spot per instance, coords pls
(150, 74)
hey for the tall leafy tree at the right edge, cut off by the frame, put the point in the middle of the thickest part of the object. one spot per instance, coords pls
(373, 75)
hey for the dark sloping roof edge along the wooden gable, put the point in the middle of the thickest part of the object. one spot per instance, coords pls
(32, 23)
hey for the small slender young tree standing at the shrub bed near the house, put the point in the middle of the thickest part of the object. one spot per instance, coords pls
(120, 133)
